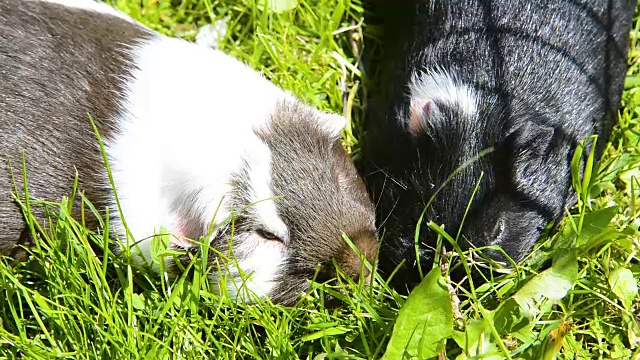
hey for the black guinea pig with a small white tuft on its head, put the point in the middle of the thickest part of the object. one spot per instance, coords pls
(480, 105)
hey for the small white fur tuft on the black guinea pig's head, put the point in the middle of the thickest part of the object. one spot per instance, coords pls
(440, 86)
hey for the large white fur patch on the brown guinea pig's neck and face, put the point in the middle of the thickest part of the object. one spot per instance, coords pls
(189, 124)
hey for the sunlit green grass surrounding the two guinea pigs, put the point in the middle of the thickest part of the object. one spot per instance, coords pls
(71, 303)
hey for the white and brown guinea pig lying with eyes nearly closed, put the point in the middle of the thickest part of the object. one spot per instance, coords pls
(190, 133)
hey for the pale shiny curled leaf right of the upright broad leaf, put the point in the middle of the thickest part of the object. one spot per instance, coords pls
(552, 284)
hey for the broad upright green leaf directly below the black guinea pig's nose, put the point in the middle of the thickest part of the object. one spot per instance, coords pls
(423, 322)
